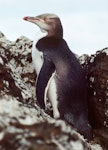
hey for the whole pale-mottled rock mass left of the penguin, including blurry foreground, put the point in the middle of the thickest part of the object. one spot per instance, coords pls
(23, 125)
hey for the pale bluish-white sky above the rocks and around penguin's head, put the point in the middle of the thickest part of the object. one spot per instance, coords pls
(85, 22)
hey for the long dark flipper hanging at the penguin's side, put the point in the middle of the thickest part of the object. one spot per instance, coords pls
(45, 74)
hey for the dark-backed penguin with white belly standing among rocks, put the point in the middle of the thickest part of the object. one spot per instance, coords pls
(60, 77)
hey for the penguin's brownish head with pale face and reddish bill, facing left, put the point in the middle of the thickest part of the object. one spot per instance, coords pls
(49, 23)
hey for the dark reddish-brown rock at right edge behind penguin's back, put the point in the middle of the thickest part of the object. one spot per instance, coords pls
(96, 68)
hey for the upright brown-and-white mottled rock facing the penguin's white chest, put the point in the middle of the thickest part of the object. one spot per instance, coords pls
(16, 71)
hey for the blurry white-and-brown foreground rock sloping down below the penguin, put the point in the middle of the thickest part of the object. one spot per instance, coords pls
(32, 129)
